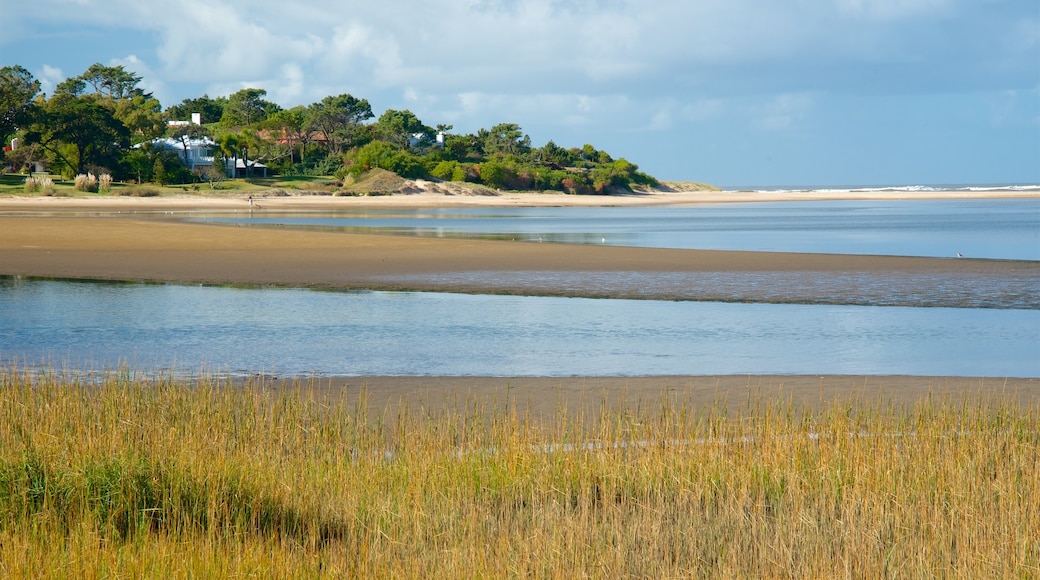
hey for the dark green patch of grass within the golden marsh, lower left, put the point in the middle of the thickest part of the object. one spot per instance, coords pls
(125, 497)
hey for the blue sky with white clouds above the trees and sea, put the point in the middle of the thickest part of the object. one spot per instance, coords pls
(734, 93)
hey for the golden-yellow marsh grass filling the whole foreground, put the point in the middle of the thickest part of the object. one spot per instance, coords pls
(135, 477)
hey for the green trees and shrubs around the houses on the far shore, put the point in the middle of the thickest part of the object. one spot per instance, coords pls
(103, 122)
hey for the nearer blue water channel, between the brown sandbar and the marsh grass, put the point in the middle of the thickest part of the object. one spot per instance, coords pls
(97, 326)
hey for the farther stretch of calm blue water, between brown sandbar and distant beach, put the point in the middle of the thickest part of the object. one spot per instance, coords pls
(995, 229)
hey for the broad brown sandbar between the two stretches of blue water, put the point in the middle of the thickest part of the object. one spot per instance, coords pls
(170, 251)
